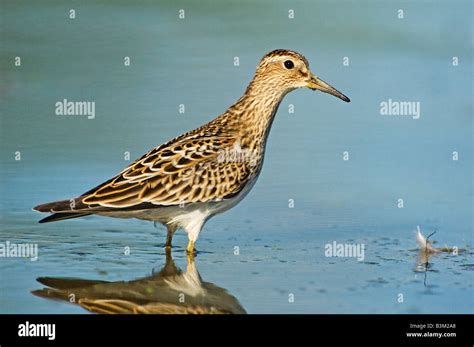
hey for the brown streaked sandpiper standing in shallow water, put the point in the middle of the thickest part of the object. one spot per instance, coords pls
(206, 171)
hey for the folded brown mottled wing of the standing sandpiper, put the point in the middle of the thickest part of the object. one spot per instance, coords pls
(186, 170)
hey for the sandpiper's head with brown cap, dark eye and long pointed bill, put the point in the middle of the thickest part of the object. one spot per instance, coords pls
(288, 70)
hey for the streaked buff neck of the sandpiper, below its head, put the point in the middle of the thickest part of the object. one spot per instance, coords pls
(254, 112)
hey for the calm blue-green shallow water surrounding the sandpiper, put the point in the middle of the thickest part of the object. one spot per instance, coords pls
(281, 266)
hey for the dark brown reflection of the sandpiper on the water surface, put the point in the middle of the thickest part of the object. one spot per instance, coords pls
(168, 291)
